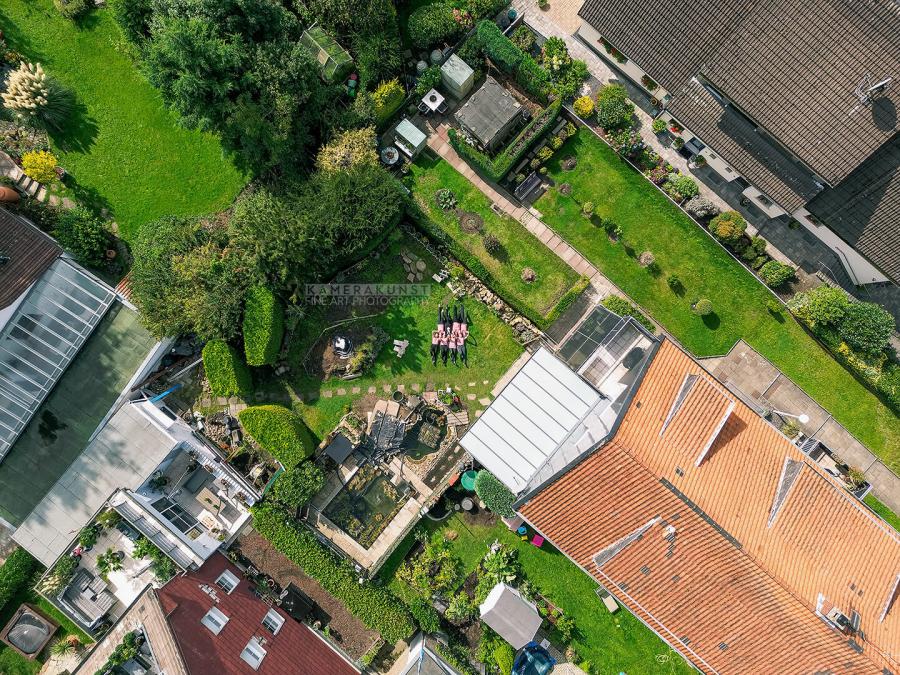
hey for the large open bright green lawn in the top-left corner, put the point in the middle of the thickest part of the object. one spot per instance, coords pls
(123, 149)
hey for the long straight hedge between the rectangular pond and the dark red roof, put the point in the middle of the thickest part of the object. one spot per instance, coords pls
(376, 607)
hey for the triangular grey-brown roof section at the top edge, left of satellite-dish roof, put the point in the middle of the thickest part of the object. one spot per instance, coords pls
(669, 39)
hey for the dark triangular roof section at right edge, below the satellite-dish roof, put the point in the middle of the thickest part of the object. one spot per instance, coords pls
(864, 209)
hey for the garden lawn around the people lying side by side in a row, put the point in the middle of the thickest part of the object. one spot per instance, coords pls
(491, 347)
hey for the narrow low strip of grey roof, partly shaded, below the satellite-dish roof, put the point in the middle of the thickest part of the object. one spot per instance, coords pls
(736, 139)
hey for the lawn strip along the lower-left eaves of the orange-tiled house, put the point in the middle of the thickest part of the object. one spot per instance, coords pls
(613, 643)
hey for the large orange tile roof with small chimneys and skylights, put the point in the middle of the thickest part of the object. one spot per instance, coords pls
(736, 552)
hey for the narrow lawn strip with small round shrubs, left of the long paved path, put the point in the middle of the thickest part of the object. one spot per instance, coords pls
(521, 248)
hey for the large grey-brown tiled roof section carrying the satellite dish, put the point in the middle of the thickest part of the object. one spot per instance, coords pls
(794, 68)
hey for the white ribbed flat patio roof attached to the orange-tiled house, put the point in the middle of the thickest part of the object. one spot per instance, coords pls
(545, 415)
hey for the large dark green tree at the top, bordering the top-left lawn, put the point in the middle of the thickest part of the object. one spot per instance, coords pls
(235, 67)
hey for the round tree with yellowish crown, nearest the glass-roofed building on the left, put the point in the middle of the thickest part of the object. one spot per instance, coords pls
(187, 279)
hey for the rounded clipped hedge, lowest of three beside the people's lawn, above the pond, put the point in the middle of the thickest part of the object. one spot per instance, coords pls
(280, 432)
